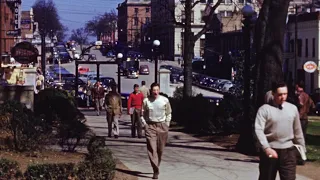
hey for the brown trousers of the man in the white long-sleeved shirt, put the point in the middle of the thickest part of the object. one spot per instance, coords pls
(156, 135)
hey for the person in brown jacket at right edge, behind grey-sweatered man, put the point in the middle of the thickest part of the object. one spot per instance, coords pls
(304, 104)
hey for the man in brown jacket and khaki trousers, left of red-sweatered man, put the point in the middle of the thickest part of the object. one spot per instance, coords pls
(113, 106)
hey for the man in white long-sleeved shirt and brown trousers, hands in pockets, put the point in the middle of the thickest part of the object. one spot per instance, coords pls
(156, 120)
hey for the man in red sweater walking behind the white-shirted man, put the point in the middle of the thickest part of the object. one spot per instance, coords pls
(134, 110)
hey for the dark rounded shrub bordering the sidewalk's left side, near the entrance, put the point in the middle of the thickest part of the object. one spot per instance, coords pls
(60, 112)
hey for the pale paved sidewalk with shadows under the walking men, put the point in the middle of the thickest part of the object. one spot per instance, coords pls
(184, 158)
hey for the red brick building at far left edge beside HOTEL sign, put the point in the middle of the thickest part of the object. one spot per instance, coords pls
(6, 24)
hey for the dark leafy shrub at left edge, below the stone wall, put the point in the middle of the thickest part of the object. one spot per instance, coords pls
(24, 130)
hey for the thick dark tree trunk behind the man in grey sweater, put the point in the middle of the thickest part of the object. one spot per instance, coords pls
(268, 41)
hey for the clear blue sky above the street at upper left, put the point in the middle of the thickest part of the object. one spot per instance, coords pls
(75, 13)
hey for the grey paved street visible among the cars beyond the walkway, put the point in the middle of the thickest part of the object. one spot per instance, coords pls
(127, 84)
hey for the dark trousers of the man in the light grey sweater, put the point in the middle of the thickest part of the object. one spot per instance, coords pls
(285, 164)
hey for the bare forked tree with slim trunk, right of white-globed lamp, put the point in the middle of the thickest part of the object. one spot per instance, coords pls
(190, 38)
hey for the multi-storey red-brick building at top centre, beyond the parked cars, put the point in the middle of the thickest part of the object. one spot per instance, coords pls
(132, 15)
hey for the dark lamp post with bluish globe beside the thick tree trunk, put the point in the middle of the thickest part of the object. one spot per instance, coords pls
(248, 13)
